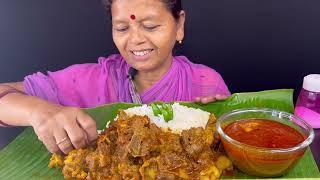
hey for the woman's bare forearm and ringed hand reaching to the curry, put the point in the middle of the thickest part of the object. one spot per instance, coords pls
(58, 127)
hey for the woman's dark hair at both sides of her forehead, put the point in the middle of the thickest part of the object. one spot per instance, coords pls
(174, 6)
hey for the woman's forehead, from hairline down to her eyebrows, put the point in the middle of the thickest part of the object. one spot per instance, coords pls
(141, 9)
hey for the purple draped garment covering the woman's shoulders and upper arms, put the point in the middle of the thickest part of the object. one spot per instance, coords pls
(90, 85)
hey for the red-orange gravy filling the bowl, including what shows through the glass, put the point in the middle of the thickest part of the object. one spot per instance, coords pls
(259, 138)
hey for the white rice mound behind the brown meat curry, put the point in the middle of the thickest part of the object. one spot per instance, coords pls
(183, 117)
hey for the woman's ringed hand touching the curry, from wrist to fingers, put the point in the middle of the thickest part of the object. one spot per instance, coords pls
(63, 128)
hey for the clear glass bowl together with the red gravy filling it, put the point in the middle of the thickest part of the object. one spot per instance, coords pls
(264, 142)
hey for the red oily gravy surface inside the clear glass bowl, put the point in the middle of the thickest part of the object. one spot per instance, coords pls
(264, 133)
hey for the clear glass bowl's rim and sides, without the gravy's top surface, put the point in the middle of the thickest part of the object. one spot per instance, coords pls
(260, 161)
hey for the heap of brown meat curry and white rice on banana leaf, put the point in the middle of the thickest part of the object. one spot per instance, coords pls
(141, 145)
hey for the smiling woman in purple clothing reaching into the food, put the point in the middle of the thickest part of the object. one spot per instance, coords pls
(145, 32)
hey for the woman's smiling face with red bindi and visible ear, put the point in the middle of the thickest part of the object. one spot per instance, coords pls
(145, 32)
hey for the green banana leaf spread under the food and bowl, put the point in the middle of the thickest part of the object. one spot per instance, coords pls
(27, 158)
